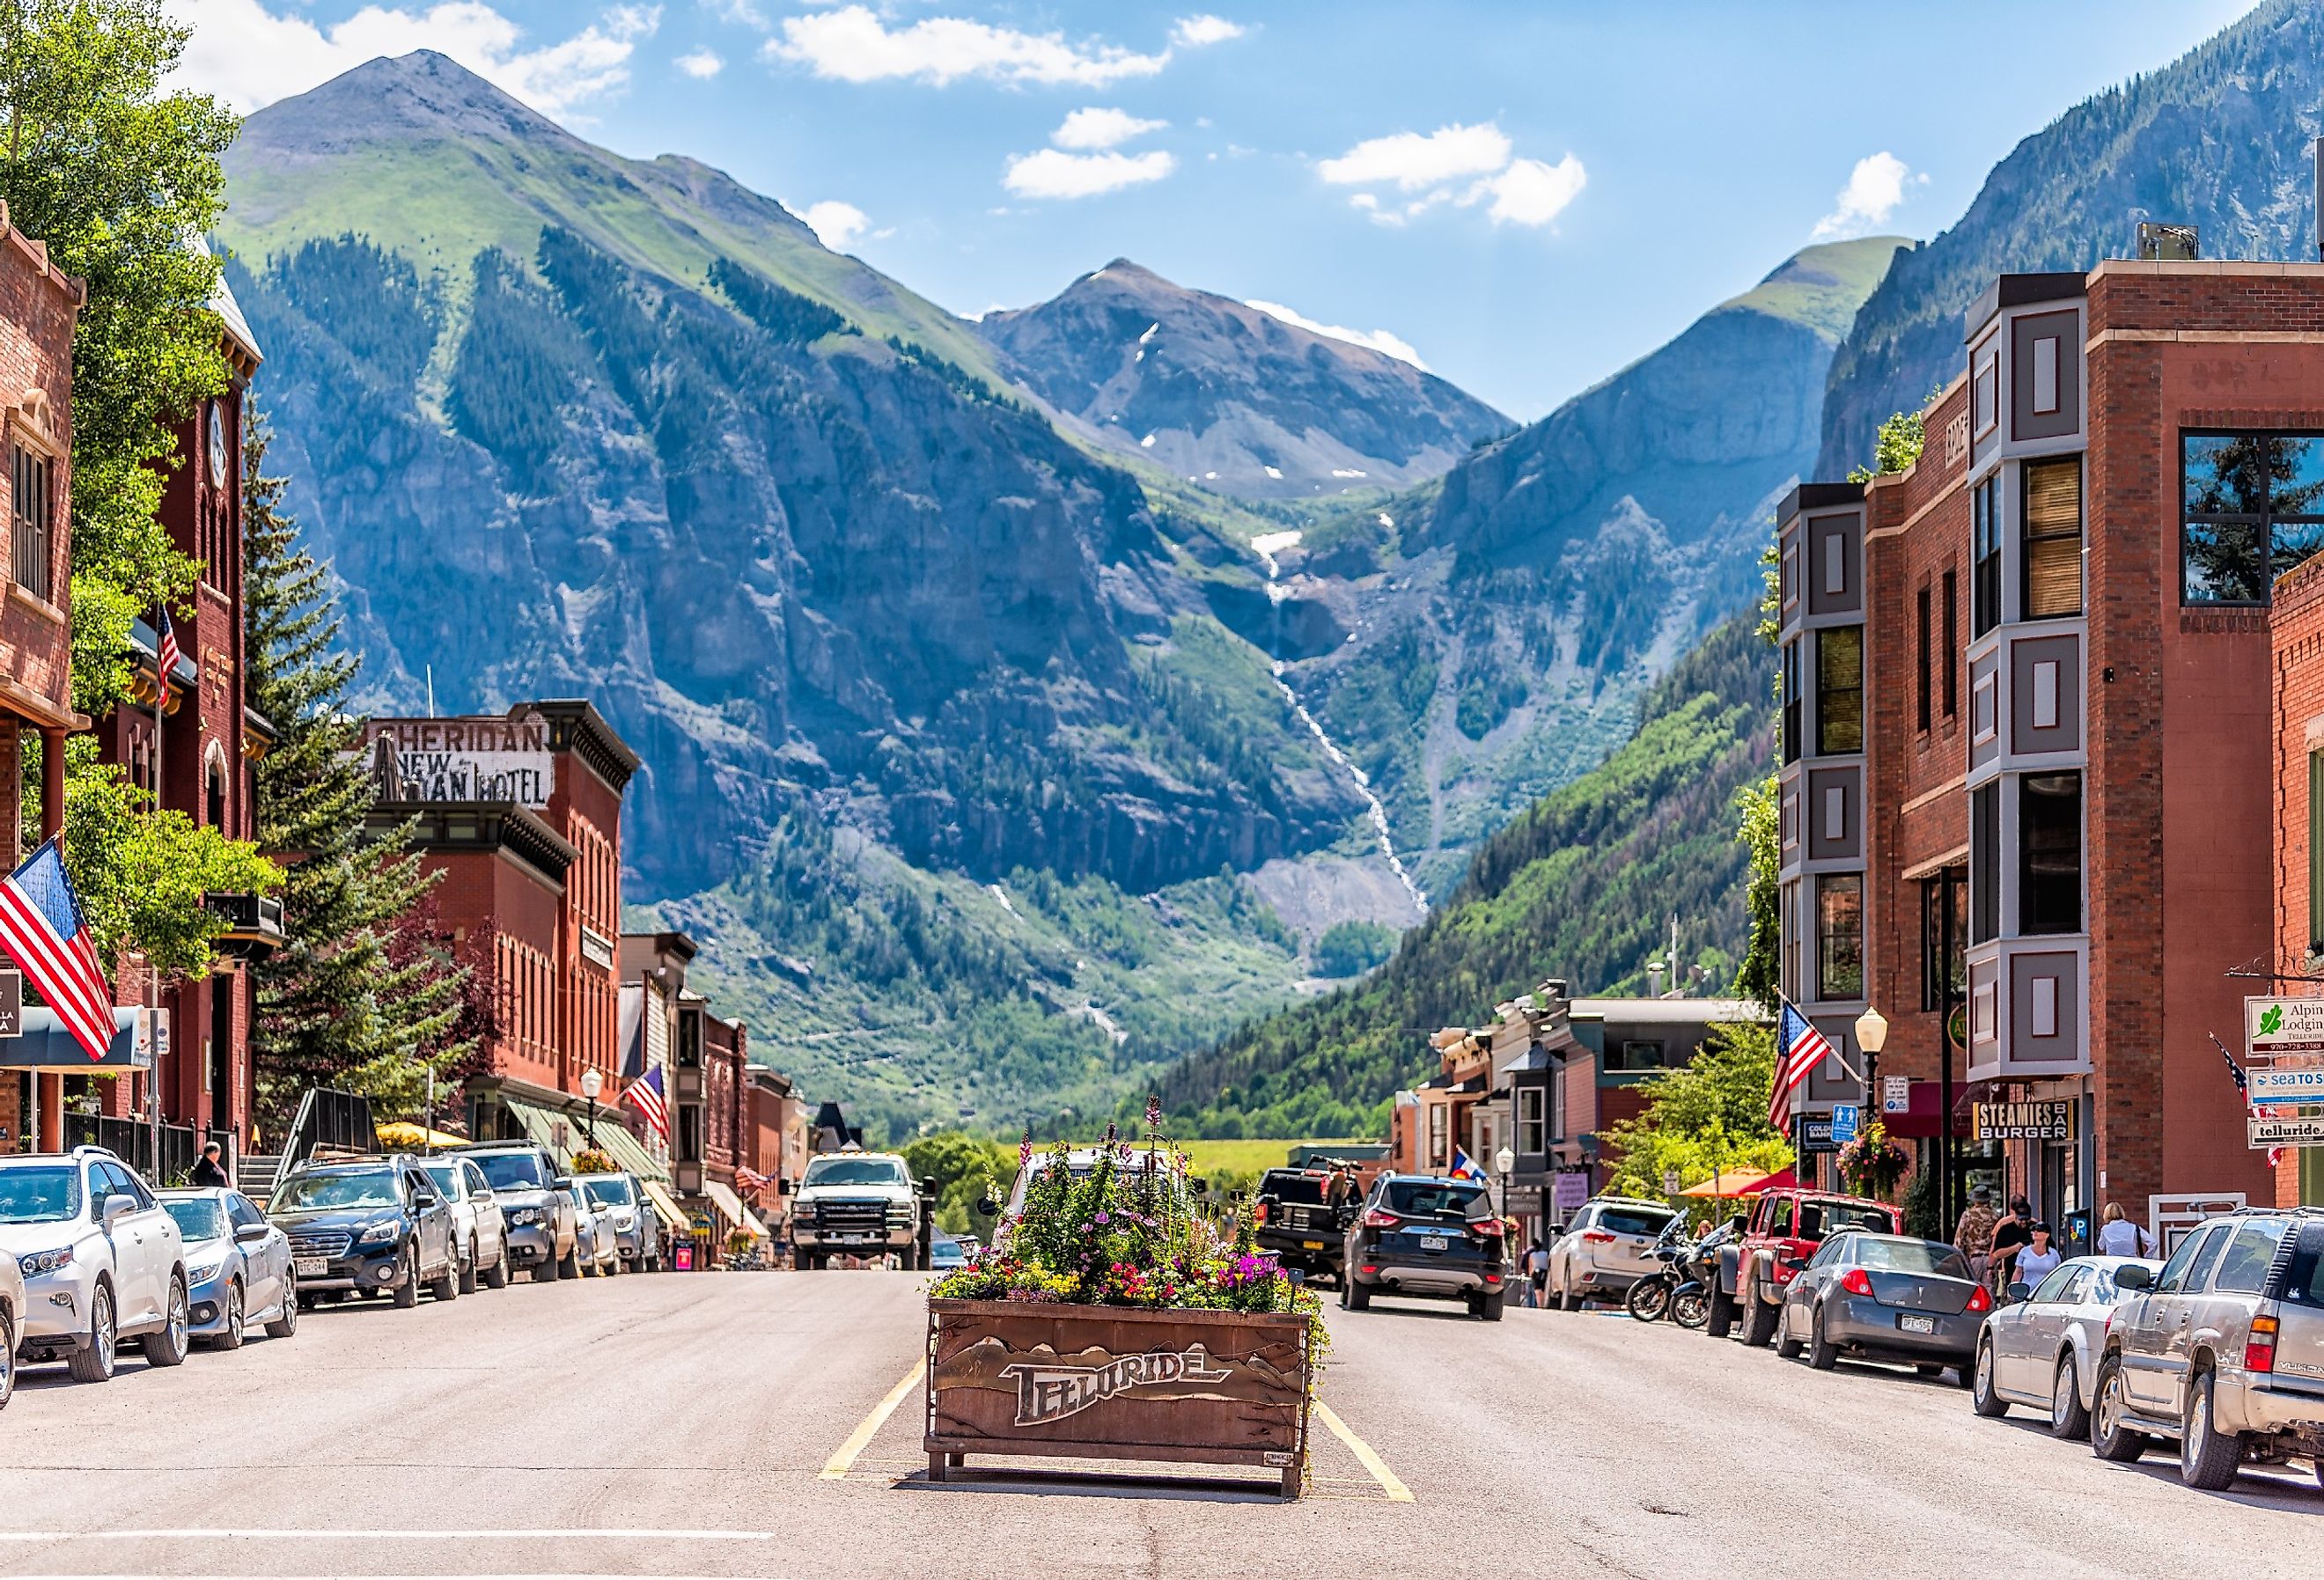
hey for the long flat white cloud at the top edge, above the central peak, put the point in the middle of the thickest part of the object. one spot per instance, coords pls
(854, 45)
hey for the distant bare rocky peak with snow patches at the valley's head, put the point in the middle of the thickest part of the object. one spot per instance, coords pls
(1228, 396)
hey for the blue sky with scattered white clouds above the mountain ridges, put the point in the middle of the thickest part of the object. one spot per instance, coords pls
(1523, 196)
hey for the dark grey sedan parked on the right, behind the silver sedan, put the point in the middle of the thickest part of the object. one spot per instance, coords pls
(1884, 1298)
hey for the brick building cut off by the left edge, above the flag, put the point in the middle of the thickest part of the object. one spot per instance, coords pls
(38, 313)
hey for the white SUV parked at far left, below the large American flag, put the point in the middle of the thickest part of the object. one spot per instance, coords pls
(101, 1263)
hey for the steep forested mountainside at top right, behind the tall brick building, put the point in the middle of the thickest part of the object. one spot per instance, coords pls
(2214, 141)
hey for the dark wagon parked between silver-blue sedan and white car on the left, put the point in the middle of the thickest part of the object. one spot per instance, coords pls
(371, 1226)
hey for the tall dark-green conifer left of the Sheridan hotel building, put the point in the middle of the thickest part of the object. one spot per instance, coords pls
(361, 998)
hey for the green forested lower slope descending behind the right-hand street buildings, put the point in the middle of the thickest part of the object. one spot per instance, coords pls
(1581, 886)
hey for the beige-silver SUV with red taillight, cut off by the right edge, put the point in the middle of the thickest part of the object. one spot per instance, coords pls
(2221, 1351)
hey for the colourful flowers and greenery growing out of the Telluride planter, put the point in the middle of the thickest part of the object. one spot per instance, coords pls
(1128, 1235)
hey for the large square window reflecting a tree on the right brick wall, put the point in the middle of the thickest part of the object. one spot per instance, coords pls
(2253, 508)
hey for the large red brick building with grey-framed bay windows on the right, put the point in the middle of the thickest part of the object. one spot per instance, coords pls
(2028, 696)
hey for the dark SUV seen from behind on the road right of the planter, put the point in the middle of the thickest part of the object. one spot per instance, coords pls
(1430, 1237)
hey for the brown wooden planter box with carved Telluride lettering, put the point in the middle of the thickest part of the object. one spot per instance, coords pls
(1114, 1384)
